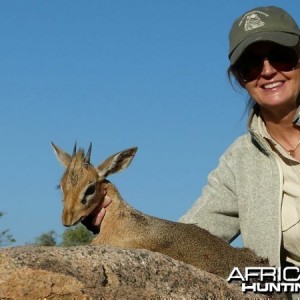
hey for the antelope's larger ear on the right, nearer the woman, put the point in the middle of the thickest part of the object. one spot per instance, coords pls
(117, 162)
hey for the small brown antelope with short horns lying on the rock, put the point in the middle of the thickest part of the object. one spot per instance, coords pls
(84, 187)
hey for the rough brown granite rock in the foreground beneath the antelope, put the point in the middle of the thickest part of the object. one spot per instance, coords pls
(104, 272)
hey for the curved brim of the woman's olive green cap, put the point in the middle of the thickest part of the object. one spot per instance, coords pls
(282, 38)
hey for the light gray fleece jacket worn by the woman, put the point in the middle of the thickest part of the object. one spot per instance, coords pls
(243, 195)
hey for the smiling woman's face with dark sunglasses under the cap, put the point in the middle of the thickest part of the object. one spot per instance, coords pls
(273, 75)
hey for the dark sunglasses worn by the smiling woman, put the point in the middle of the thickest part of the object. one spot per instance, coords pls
(250, 65)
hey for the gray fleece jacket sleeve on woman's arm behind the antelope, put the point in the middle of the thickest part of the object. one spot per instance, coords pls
(217, 208)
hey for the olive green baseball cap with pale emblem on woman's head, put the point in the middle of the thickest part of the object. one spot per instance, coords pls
(262, 24)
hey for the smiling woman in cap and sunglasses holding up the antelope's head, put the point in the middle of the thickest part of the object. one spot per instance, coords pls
(255, 190)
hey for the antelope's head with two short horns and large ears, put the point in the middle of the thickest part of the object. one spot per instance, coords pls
(82, 183)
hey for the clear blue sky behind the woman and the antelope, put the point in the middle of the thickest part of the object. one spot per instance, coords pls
(118, 73)
